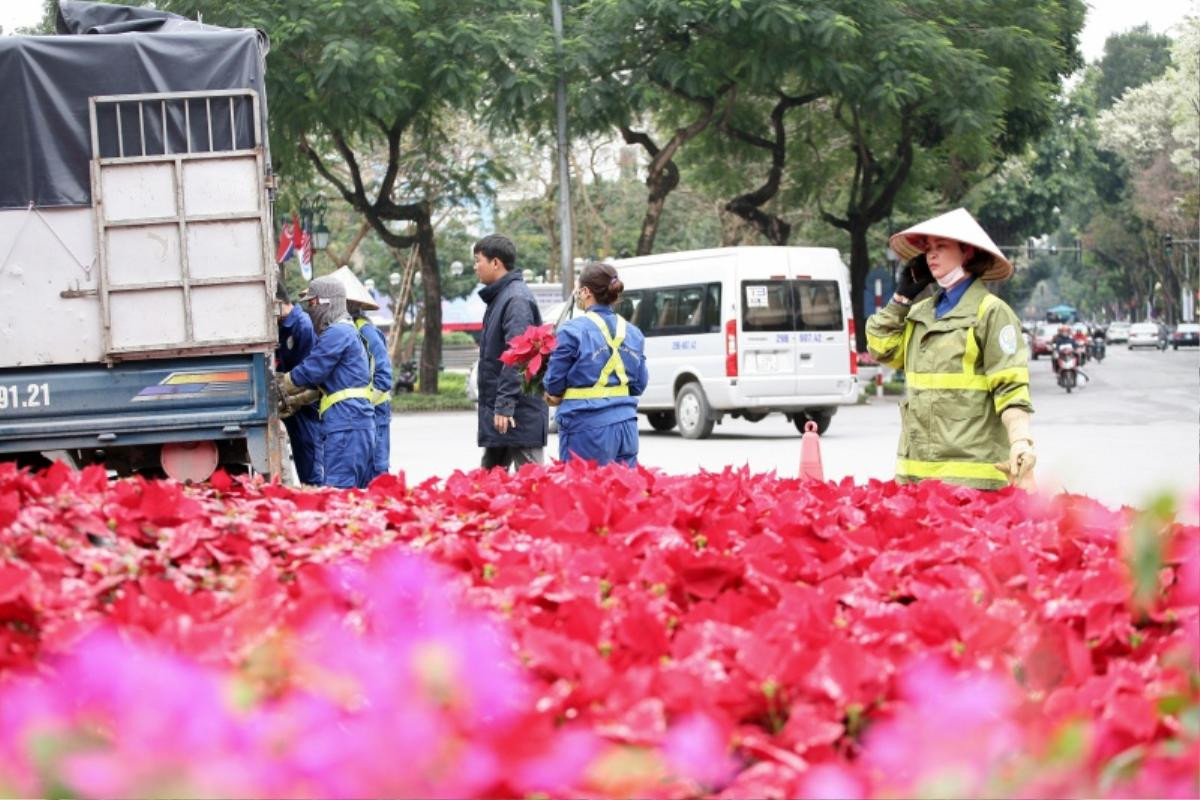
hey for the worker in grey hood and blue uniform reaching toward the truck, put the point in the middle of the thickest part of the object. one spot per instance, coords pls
(338, 368)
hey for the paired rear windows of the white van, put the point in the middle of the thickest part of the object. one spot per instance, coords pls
(800, 305)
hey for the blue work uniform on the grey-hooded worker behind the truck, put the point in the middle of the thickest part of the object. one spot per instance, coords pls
(338, 366)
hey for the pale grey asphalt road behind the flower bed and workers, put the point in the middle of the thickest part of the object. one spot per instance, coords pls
(1131, 431)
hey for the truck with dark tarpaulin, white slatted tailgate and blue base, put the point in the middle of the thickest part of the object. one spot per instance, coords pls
(137, 280)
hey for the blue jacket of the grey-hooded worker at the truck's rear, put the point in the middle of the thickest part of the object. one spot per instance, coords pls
(338, 362)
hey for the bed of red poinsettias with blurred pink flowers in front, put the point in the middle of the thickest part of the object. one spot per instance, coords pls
(592, 633)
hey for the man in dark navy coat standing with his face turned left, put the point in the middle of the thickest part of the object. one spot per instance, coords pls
(512, 425)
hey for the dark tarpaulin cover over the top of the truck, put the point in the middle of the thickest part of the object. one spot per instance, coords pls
(46, 83)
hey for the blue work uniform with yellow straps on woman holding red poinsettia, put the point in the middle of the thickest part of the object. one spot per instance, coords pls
(599, 370)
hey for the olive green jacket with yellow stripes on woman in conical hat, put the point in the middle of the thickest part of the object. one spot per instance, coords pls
(962, 371)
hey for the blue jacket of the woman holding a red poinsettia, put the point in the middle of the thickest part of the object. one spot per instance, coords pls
(578, 362)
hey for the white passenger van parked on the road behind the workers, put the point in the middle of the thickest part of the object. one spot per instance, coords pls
(743, 332)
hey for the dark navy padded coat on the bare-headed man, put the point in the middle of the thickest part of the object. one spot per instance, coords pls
(511, 311)
